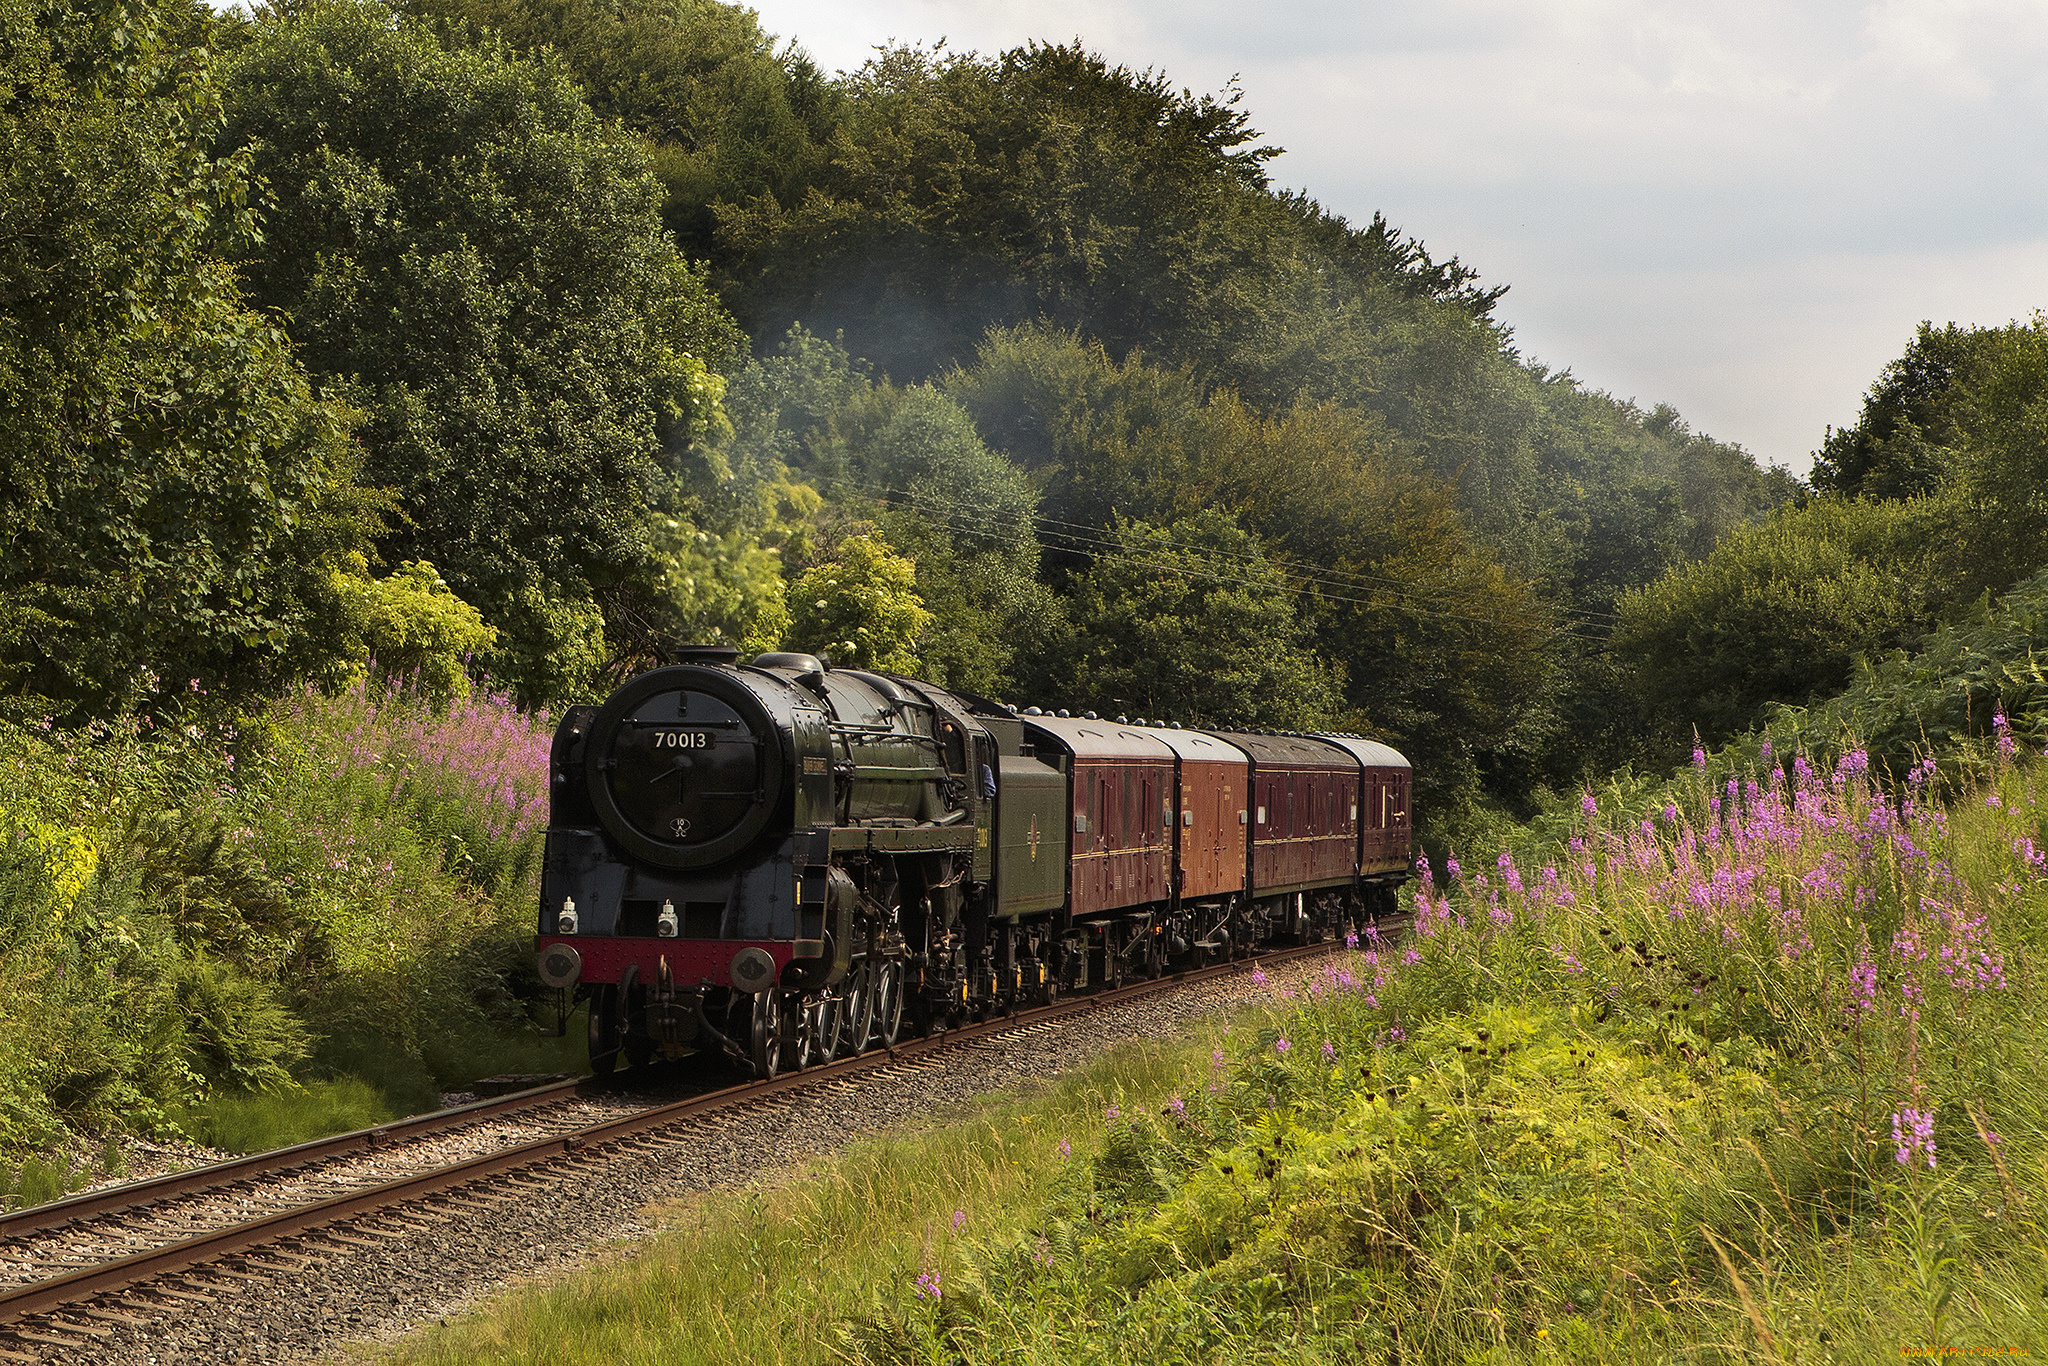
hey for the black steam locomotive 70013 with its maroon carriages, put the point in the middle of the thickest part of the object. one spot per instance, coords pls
(787, 861)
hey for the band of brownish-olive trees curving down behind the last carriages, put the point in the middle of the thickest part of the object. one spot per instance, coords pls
(1441, 648)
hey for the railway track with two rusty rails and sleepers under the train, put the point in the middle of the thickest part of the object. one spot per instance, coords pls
(126, 1256)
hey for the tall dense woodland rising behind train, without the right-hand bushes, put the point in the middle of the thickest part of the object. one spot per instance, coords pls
(626, 318)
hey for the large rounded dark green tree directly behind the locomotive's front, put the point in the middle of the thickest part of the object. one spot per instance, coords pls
(478, 263)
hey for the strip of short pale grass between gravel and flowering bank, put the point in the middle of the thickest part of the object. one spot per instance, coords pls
(767, 1275)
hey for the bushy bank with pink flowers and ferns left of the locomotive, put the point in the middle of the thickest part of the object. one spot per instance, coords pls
(194, 910)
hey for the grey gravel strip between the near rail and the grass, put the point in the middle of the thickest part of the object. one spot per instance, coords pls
(392, 1275)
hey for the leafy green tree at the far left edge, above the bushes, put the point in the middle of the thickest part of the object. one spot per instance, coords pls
(175, 499)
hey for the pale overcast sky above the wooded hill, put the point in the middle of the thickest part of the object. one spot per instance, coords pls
(1734, 208)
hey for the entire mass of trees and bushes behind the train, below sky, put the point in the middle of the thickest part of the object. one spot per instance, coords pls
(355, 355)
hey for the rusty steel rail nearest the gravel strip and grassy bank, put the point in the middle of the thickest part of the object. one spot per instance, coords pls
(128, 1273)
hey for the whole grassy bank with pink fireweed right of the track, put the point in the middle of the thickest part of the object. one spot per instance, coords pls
(1750, 1078)
